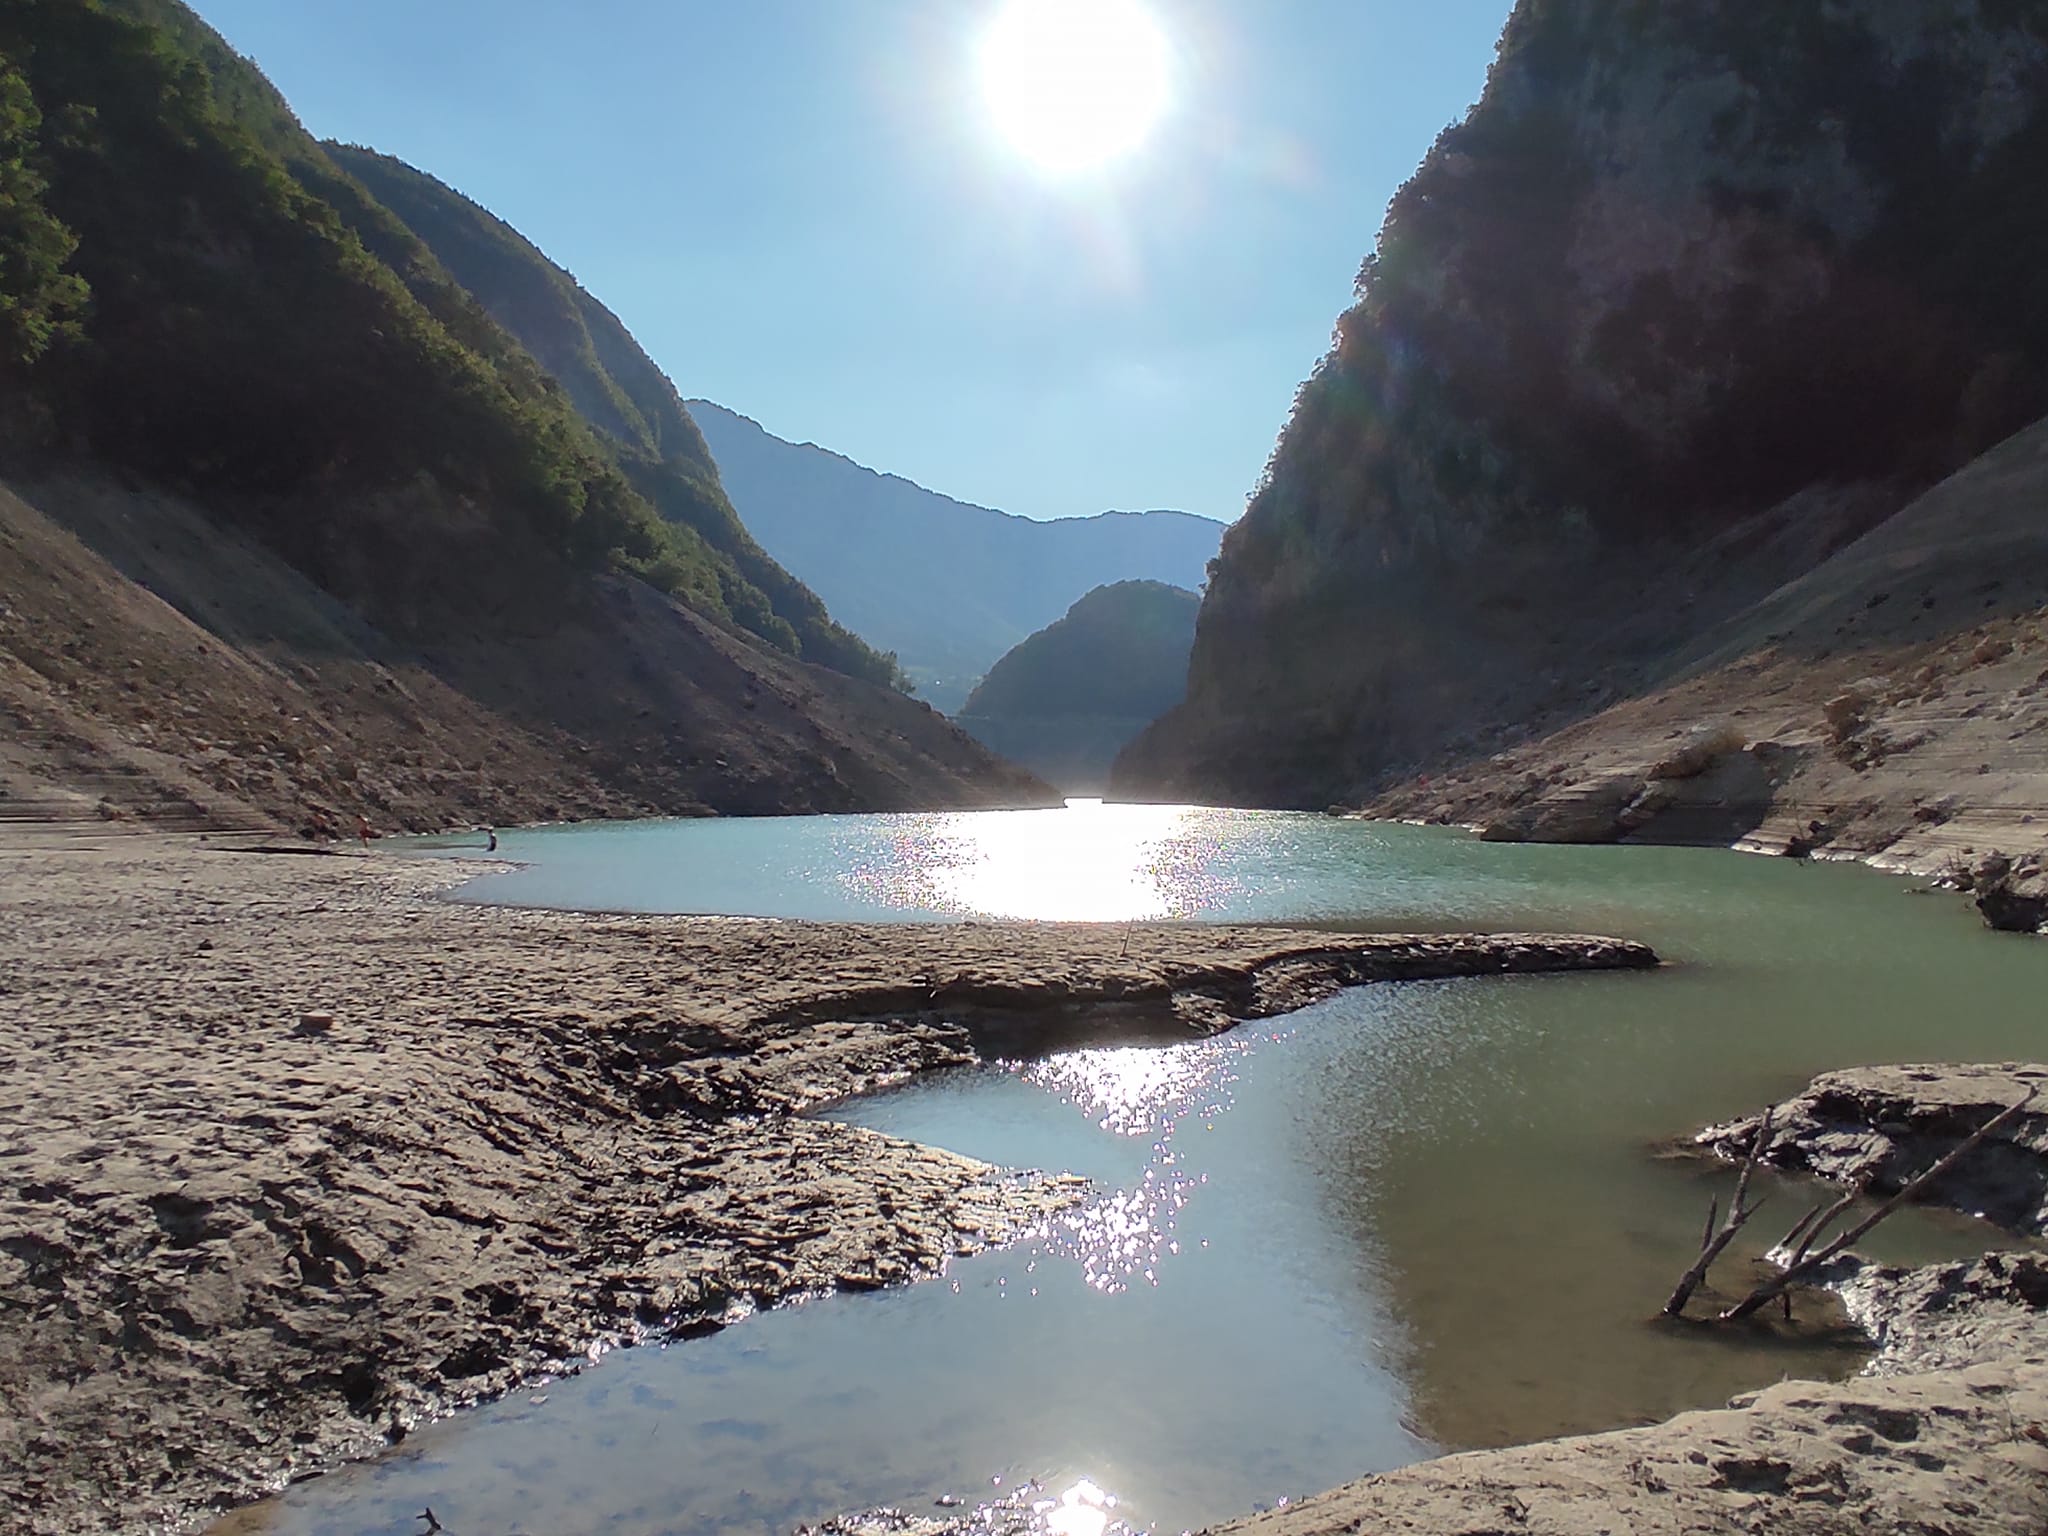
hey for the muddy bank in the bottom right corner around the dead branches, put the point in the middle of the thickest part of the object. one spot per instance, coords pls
(1947, 1428)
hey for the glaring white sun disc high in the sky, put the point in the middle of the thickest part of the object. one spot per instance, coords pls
(1074, 85)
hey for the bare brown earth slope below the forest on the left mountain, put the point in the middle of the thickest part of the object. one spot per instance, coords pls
(159, 667)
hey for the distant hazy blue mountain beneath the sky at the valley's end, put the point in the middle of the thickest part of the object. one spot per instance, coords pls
(943, 585)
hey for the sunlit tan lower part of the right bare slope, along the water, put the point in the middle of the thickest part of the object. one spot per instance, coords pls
(1918, 757)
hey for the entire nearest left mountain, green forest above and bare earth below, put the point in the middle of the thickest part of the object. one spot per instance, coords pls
(298, 531)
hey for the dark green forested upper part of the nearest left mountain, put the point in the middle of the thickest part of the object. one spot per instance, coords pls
(243, 341)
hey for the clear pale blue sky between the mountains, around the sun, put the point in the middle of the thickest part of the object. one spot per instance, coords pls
(804, 212)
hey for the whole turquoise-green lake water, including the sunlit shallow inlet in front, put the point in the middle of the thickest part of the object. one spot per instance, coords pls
(1408, 1220)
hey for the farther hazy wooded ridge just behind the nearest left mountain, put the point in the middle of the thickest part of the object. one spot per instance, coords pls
(620, 392)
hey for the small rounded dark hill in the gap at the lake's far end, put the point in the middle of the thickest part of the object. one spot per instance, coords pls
(1066, 701)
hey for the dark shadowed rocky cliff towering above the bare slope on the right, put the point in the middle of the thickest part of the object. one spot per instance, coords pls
(1691, 300)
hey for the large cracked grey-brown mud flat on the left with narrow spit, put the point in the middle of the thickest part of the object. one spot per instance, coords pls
(294, 1154)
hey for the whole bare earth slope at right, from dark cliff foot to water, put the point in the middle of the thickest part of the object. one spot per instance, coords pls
(1889, 703)
